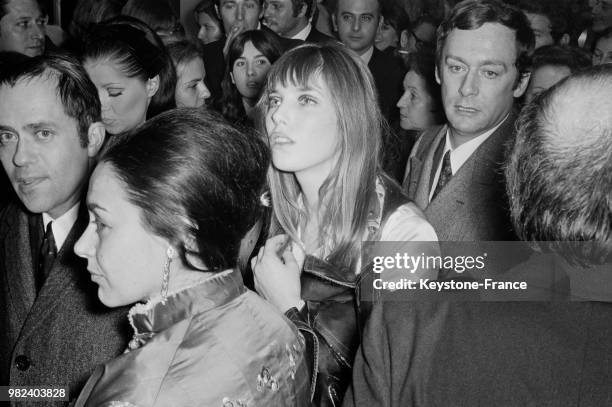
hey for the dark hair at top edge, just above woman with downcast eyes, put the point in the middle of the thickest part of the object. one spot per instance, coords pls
(158, 15)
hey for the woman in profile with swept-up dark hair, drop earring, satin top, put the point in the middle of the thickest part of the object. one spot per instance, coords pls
(168, 207)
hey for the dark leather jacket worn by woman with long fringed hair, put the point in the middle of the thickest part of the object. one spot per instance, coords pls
(334, 312)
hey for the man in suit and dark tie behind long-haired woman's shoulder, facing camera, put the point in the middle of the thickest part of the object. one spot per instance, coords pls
(454, 171)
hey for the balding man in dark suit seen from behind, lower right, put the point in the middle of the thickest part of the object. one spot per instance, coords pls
(519, 353)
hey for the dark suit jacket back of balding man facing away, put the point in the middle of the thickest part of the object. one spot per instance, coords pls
(510, 354)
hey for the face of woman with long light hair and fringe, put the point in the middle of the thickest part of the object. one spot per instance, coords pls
(302, 128)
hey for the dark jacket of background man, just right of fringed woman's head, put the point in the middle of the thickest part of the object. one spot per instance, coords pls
(388, 76)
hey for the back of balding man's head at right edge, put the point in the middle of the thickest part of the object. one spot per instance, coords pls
(559, 173)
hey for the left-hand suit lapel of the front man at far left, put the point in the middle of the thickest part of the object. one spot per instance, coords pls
(19, 268)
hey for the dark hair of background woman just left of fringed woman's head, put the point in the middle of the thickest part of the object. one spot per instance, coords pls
(230, 104)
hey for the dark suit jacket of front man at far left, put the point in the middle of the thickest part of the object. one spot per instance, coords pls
(55, 338)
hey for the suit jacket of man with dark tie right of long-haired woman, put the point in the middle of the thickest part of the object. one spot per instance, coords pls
(472, 206)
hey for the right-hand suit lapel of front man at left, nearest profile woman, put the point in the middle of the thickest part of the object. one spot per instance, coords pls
(62, 278)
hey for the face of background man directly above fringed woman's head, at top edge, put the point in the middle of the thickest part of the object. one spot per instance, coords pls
(357, 23)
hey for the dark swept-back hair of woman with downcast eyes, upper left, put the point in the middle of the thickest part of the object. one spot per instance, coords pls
(138, 53)
